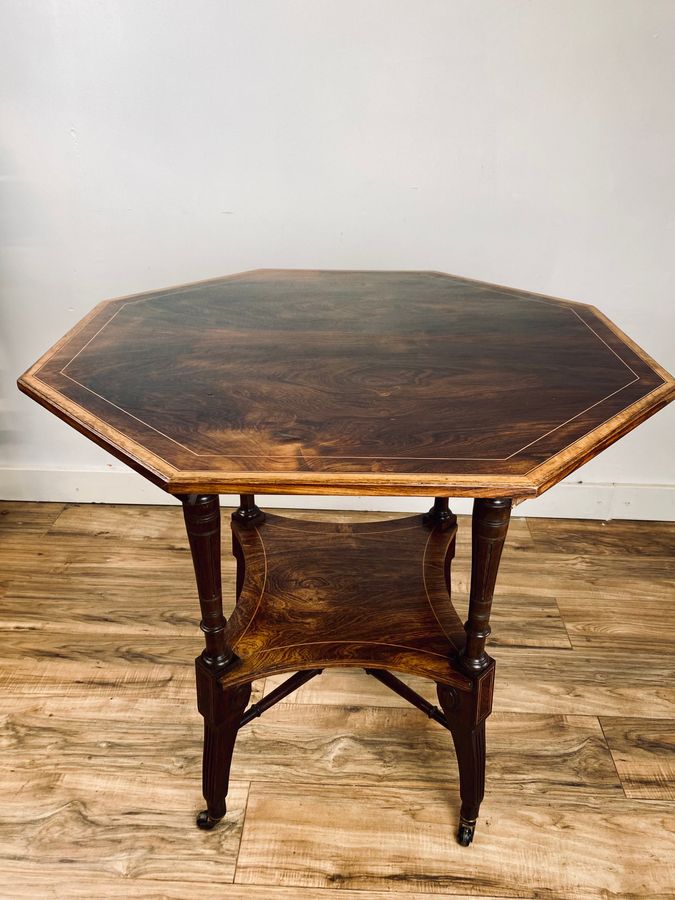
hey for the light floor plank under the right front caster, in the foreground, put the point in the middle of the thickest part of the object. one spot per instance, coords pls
(375, 839)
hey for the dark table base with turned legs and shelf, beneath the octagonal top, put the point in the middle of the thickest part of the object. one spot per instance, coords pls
(313, 595)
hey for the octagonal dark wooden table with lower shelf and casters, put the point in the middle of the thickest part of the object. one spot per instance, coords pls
(337, 382)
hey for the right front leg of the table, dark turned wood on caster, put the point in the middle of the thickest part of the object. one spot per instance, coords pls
(466, 712)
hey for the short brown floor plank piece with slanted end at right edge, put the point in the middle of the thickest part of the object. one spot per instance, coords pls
(644, 754)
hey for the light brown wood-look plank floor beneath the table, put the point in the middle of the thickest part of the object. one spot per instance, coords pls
(343, 787)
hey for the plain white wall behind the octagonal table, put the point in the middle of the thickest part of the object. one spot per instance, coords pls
(149, 142)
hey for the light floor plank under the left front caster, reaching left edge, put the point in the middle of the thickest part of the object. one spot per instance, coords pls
(124, 823)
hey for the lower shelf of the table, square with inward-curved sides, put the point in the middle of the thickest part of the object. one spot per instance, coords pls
(373, 595)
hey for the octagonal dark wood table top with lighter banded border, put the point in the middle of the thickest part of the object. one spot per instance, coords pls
(349, 382)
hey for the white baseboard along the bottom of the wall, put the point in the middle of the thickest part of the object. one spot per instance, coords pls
(570, 499)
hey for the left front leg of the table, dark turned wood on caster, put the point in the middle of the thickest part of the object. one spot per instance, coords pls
(222, 709)
